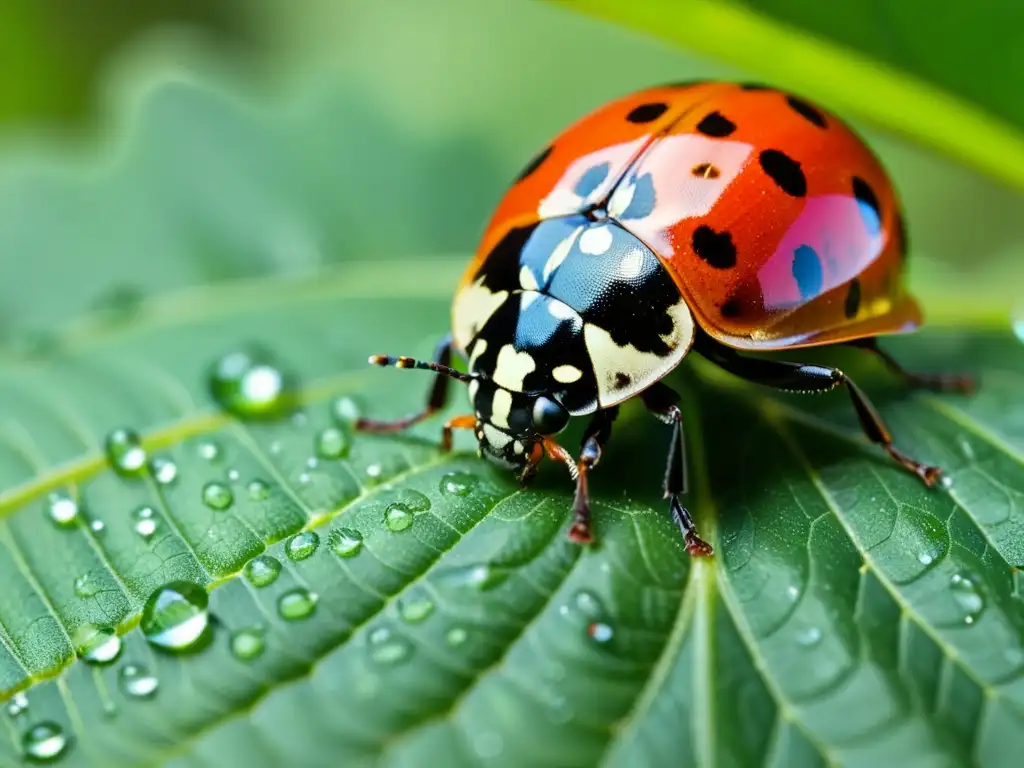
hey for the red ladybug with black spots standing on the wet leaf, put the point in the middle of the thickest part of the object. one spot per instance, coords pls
(710, 218)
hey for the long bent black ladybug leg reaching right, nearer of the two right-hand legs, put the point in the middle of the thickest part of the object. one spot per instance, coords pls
(797, 377)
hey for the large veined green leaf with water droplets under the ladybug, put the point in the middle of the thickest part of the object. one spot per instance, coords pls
(831, 628)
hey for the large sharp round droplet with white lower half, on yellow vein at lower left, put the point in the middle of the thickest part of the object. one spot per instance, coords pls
(176, 618)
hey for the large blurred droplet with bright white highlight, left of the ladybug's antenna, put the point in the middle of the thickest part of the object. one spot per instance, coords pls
(251, 385)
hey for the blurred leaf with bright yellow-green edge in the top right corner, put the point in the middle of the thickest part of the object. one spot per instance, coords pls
(940, 78)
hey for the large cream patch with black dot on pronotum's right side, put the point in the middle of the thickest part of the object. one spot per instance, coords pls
(644, 369)
